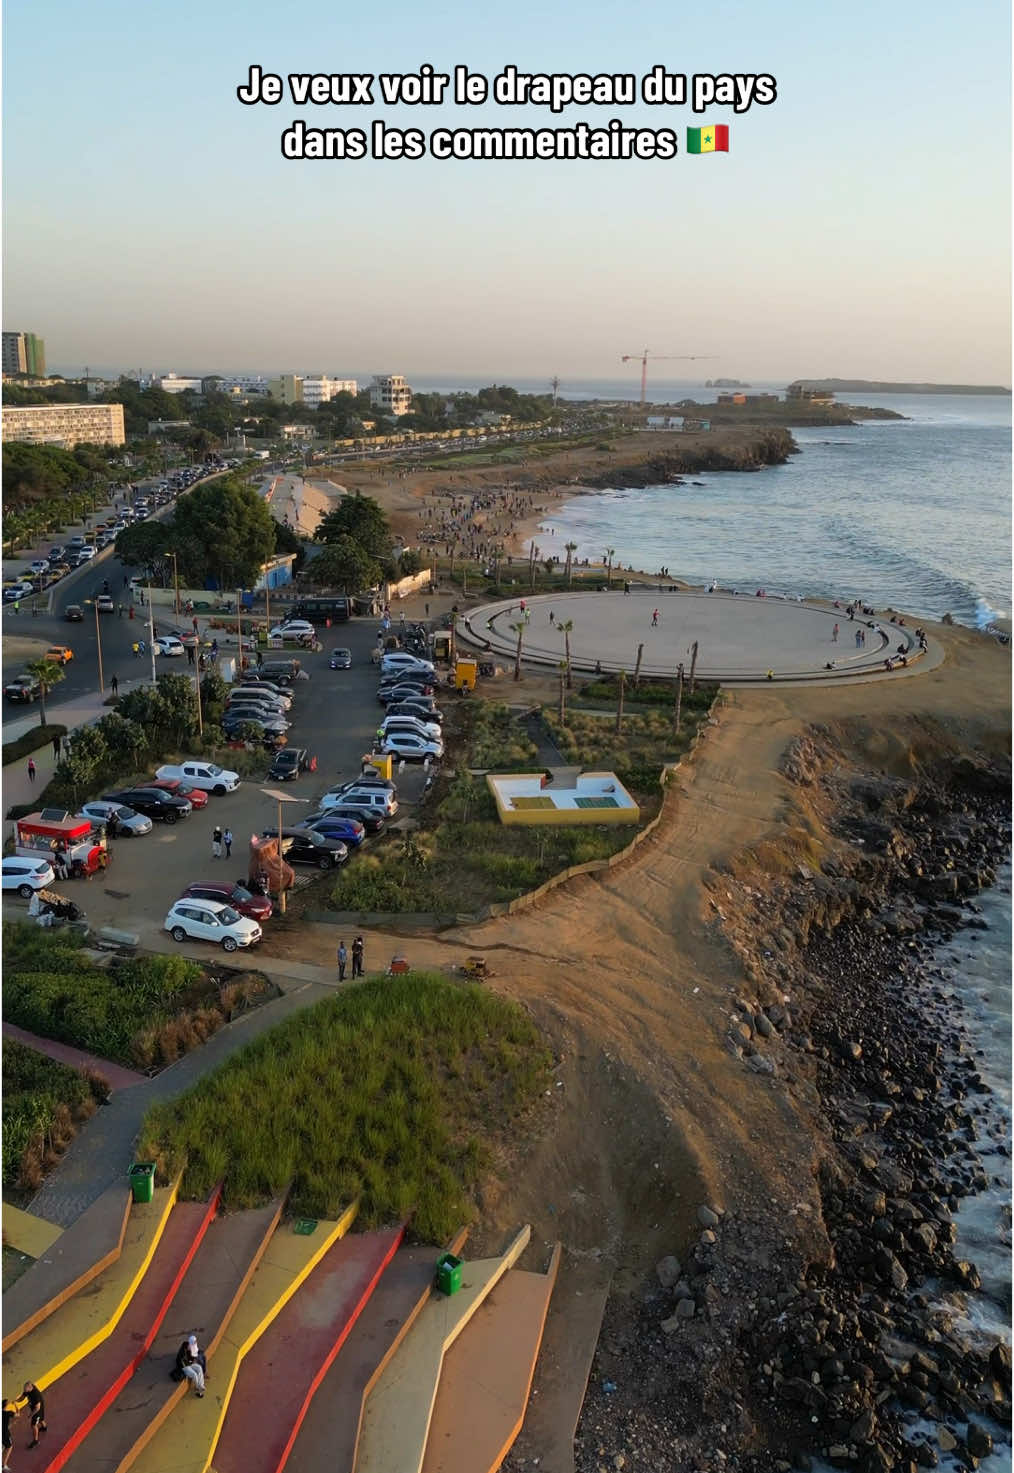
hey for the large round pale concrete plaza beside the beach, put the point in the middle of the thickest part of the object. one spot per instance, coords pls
(739, 637)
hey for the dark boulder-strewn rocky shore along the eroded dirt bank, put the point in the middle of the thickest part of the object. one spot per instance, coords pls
(780, 1344)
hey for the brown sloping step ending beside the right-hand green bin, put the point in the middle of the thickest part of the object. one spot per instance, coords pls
(329, 1435)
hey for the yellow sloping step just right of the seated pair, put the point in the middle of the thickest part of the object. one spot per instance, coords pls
(186, 1444)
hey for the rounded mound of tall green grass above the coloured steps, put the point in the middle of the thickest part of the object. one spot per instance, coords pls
(394, 1092)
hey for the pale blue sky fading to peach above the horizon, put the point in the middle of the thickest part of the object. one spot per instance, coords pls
(860, 226)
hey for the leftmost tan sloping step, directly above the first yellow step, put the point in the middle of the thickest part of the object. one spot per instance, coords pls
(80, 1254)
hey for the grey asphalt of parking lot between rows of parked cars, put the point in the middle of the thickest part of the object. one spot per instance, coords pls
(334, 717)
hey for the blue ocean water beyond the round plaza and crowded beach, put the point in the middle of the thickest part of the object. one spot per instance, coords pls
(909, 513)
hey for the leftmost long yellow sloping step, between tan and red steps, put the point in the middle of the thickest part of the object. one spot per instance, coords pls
(60, 1343)
